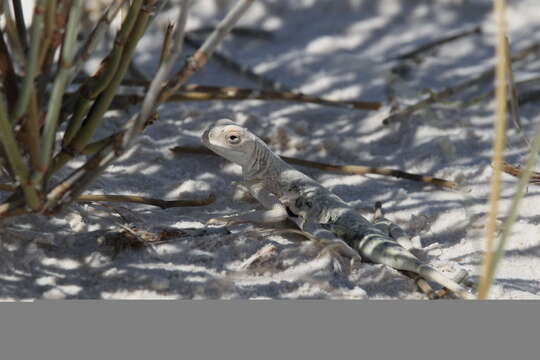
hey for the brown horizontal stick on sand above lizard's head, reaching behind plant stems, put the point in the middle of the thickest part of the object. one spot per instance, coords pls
(193, 92)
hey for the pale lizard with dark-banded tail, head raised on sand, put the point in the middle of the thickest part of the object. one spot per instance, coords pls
(286, 193)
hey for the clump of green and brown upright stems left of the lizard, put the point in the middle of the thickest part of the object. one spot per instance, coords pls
(37, 66)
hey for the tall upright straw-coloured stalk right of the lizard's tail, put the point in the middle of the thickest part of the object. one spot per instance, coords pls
(498, 148)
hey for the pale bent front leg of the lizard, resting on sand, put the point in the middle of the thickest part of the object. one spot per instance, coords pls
(274, 211)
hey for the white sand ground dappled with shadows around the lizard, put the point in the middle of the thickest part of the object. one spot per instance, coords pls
(336, 49)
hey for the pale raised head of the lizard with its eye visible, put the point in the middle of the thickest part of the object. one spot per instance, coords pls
(230, 140)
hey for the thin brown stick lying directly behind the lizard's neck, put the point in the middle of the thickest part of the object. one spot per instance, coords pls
(346, 169)
